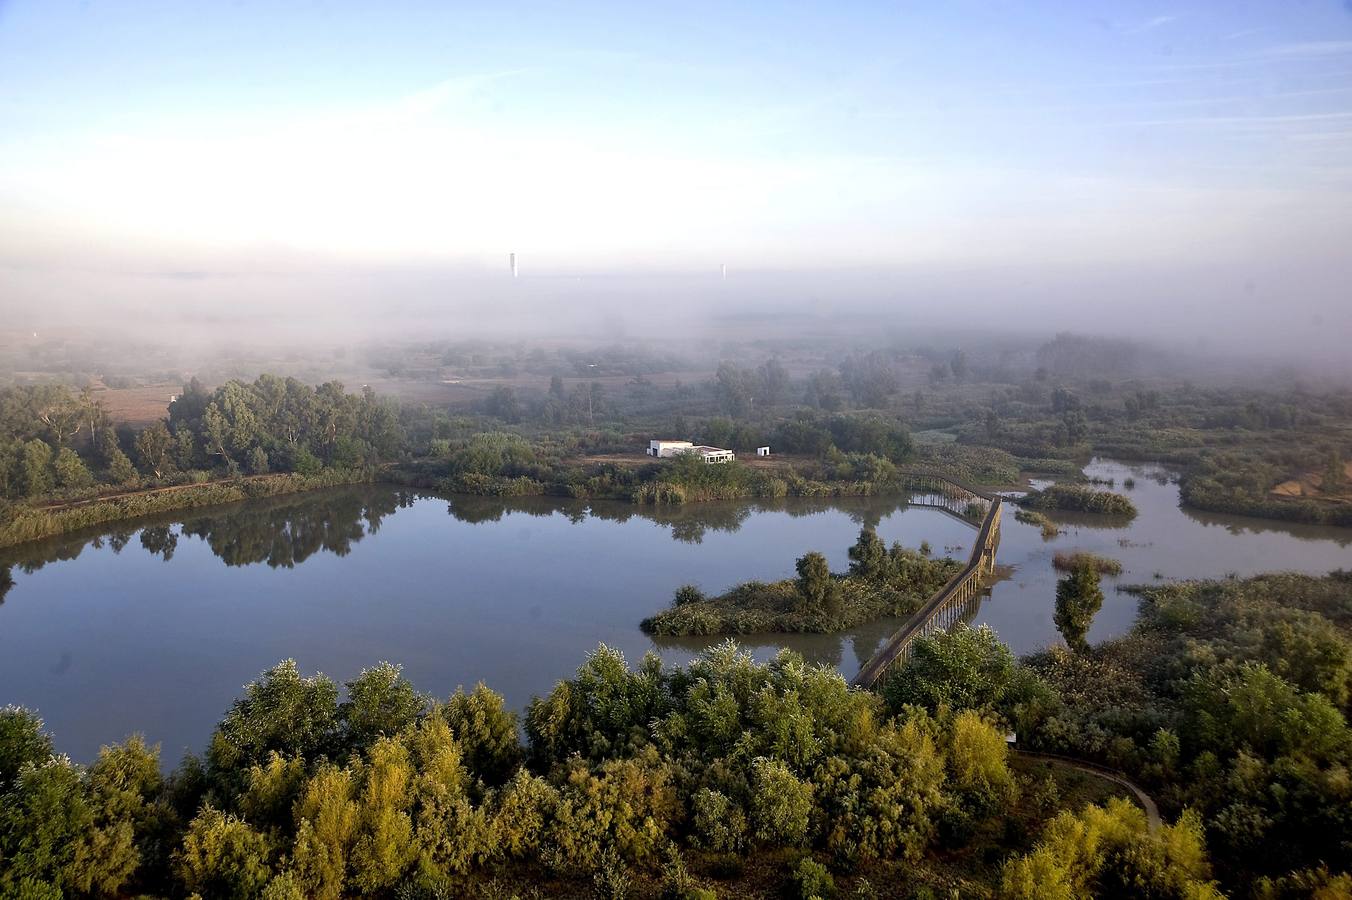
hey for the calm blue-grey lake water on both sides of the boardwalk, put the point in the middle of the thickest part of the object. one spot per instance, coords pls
(156, 629)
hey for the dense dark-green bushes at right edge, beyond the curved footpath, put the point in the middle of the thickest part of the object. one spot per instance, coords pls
(1228, 698)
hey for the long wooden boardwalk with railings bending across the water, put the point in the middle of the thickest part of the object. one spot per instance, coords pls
(957, 601)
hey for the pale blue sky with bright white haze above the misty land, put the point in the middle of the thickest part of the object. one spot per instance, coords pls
(1193, 160)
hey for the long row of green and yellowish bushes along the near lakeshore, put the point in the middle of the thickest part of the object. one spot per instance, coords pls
(305, 795)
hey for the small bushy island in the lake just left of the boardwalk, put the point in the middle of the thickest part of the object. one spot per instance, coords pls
(882, 582)
